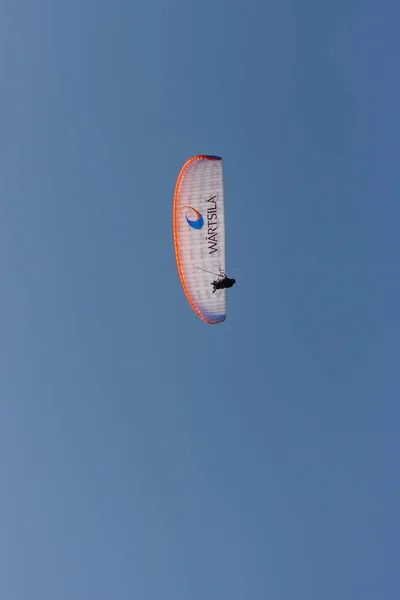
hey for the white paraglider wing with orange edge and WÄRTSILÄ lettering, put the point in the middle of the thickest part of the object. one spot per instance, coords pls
(199, 234)
